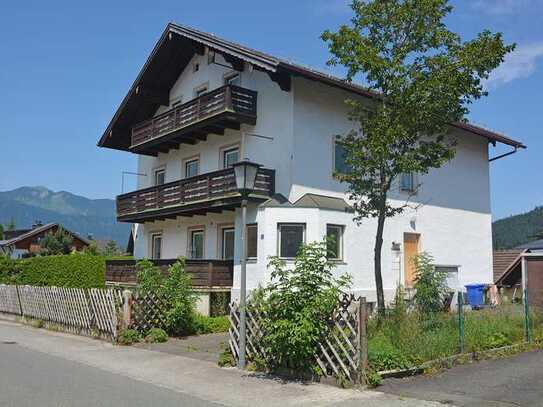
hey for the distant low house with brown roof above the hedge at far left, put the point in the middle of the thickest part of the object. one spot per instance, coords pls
(23, 242)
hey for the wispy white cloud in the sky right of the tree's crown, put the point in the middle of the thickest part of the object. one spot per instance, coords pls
(519, 64)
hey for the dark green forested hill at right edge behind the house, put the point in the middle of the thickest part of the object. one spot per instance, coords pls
(519, 229)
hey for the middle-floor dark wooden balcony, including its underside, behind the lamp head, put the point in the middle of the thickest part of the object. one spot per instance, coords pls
(211, 192)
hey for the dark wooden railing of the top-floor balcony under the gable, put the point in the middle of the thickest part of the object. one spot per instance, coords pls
(228, 98)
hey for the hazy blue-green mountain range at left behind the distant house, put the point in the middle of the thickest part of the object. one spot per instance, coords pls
(81, 215)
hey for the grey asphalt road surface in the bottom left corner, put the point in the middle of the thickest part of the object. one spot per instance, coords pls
(31, 378)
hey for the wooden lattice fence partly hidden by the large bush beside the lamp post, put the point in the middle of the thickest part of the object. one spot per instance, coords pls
(343, 353)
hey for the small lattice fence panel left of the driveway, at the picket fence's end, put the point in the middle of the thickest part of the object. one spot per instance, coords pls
(148, 311)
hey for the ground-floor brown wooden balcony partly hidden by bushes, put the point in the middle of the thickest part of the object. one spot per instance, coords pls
(204, 273)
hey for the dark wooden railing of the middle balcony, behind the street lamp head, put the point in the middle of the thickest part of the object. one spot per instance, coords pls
(202, 189)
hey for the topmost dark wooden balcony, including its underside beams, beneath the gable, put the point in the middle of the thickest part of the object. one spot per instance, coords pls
(213, 112)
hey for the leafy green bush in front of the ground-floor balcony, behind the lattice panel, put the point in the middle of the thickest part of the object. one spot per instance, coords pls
(175, 289)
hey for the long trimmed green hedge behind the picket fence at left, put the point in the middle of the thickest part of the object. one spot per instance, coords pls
(73, 270)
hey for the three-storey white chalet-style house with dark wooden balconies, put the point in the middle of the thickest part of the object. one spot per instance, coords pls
(201, 103)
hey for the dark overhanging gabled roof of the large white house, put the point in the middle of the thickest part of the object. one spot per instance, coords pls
(176, 47)
